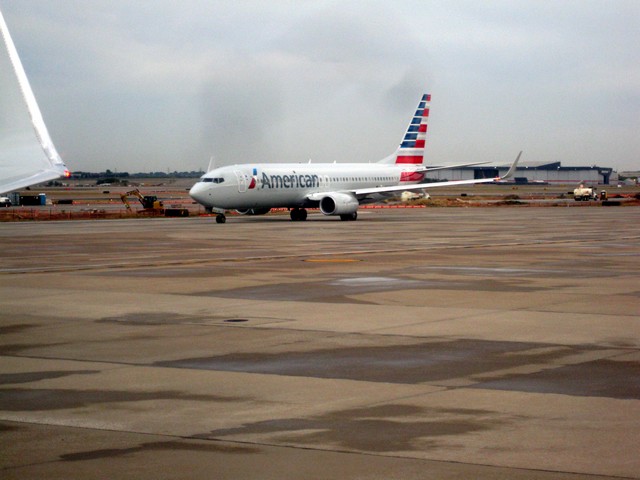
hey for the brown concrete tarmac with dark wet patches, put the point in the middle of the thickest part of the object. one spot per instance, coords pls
(449, 343)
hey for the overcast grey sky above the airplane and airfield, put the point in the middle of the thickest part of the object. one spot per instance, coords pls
(157, 85)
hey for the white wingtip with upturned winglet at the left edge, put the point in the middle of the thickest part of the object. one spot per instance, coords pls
(27, 154)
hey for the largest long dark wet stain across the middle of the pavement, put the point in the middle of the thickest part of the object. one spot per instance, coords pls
(407, 364)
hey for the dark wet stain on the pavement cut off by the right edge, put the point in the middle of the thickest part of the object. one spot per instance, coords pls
(600, 378)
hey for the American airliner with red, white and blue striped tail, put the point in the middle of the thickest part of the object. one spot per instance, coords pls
(335, 188)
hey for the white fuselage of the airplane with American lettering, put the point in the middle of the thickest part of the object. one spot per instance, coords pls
(289, 185)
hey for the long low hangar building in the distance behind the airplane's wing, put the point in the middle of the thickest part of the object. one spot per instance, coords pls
(529, 172)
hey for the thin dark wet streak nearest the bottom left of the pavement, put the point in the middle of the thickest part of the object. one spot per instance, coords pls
(168, 446)
